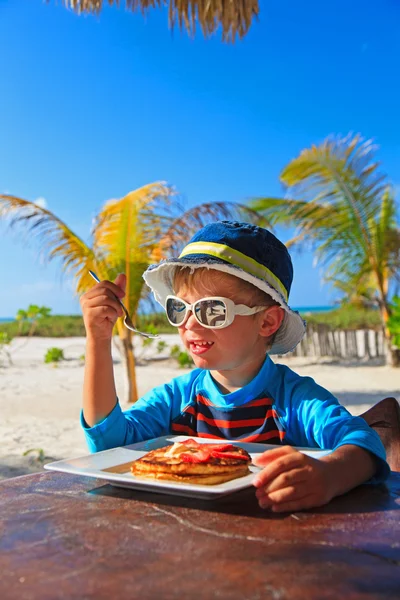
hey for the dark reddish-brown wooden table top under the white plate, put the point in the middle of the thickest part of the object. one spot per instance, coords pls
(73, 537)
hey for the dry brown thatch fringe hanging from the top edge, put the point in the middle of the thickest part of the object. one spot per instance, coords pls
(234, 16)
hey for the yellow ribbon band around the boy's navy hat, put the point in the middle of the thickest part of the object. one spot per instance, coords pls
(238, 259)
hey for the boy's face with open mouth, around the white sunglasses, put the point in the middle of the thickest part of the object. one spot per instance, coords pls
(240, 345)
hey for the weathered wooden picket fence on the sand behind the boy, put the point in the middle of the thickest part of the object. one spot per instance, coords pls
(321, 340)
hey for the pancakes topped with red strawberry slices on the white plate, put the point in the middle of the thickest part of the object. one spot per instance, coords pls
(191, 462)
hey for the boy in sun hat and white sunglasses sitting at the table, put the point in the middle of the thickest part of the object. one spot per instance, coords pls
(227, 294)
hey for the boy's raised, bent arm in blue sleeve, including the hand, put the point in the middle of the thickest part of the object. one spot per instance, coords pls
(104, 424)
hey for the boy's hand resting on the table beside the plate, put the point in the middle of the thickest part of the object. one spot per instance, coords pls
(291, 480)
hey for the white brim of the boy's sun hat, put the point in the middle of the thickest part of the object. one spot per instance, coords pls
(160, 279)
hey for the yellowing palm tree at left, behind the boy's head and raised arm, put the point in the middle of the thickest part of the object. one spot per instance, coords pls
(129, 234)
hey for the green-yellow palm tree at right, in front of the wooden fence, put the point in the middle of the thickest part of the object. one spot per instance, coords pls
(346, 211)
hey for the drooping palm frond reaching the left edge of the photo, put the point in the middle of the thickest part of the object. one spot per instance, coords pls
(56, 240)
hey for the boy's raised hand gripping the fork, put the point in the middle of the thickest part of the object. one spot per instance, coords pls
(101, 308)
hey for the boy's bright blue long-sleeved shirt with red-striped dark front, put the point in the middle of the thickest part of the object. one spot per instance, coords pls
(277, 407)
